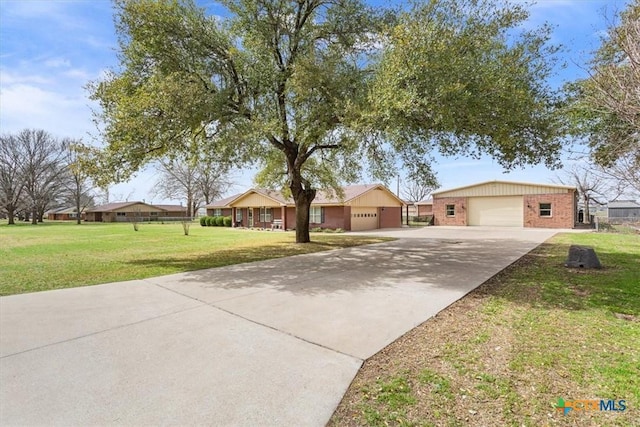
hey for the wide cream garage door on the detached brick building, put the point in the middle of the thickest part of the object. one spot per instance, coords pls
(497, 211)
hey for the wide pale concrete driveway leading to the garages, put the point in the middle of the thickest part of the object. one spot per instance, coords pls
(267, 343)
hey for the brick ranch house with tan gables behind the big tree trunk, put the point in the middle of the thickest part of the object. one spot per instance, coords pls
(363, 207)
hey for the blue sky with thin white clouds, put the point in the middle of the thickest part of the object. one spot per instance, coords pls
(50, 49)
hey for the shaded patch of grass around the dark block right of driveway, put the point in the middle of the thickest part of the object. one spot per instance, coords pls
(540, 279)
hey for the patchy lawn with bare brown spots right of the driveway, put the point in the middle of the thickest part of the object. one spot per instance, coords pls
(506, 353)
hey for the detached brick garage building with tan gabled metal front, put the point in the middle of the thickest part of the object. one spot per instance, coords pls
(507, 204)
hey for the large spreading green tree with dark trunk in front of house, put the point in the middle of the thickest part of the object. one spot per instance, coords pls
(311, 88)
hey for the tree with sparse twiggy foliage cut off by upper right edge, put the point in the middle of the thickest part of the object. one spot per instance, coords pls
(606, 105)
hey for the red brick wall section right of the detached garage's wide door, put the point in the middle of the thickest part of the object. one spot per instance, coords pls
(562, 210)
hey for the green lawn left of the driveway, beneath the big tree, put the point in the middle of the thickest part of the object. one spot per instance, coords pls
(56, 255)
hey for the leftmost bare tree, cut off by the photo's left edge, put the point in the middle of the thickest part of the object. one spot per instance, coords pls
(12, 181)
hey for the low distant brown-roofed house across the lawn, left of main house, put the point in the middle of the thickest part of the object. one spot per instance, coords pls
(130, 211)
